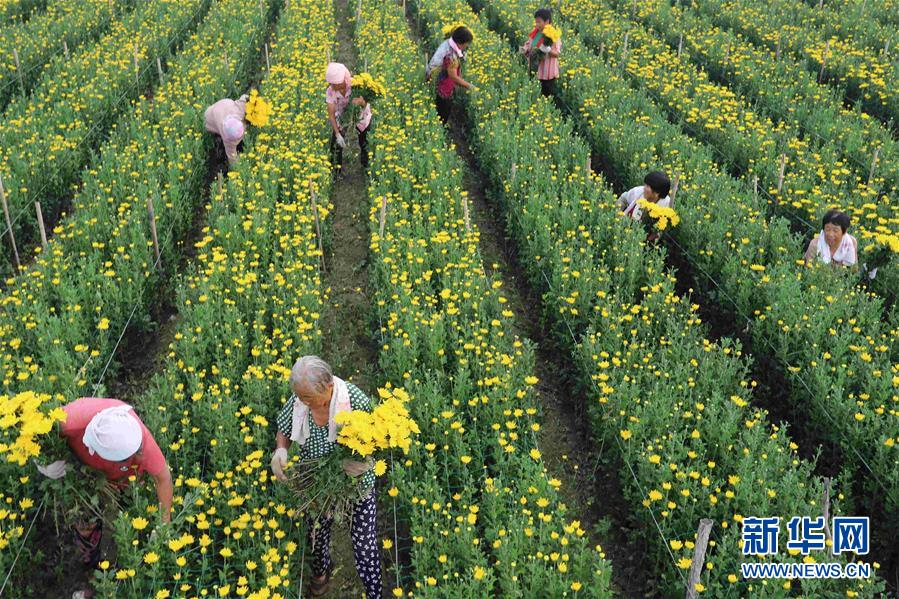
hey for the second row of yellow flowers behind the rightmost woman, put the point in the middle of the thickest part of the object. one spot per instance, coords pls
(779, 87)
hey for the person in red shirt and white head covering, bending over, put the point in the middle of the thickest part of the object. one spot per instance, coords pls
(107, 435)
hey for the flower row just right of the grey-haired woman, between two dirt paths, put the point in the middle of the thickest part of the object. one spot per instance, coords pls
(481, 514)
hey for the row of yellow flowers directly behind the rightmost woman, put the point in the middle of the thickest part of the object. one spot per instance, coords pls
(818, 174)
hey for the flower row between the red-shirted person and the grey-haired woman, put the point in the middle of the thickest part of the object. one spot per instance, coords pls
(249, 305)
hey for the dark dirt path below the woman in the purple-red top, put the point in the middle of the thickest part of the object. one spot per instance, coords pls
(589, 474)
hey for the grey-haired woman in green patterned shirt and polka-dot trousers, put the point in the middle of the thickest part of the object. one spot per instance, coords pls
(307, 419)
